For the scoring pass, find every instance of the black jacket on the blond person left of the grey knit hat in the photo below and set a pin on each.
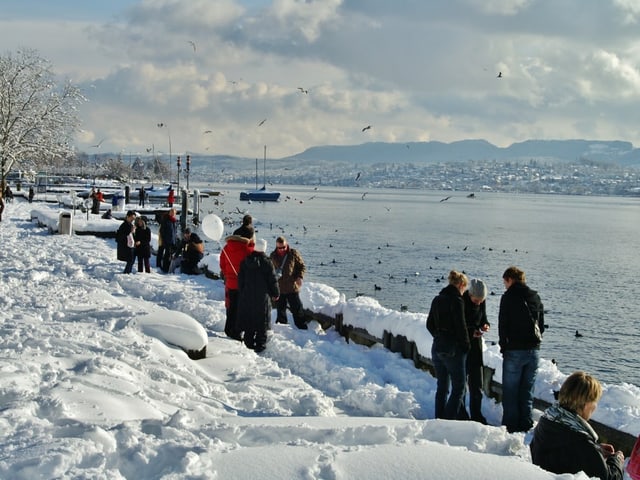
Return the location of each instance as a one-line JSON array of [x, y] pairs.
[[446, 317]]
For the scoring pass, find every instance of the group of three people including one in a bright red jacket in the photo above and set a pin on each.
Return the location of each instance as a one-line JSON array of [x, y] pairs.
[[254, 282]]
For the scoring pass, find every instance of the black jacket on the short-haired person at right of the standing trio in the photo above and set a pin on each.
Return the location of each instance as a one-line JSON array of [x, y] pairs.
[[516, 322]]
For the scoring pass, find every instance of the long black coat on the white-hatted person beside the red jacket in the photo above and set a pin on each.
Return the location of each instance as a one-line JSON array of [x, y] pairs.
[[257, 284]]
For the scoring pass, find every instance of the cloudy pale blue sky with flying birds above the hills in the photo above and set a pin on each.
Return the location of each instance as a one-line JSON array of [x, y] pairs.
[[321, 71]]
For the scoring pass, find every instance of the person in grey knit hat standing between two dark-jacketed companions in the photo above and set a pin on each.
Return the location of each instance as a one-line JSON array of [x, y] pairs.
[[475, 312]]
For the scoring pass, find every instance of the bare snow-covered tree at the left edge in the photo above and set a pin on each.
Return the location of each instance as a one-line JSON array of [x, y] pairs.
[[37, 115]]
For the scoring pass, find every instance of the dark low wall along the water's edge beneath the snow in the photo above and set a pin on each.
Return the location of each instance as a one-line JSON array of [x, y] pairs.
[[400, 344]]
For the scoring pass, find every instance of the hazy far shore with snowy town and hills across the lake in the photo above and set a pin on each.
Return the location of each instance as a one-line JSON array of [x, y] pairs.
[[571, 167]]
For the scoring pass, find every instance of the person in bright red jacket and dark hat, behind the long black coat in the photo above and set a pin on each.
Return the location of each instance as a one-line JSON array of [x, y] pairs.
[[236, 249]]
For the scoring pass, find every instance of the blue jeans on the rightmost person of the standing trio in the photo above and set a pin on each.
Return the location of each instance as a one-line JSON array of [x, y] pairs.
[[519, 368]]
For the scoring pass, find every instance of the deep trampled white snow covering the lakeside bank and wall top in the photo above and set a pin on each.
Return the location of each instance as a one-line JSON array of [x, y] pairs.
[[94, 382]]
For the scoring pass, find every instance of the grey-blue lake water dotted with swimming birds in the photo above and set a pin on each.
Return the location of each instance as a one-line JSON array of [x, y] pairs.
[[580, 253]]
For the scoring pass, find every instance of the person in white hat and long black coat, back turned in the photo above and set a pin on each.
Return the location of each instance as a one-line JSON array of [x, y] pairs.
[[257, 286]]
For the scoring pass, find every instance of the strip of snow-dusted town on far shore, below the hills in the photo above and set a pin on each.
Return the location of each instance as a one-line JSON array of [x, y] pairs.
[[470, 176]]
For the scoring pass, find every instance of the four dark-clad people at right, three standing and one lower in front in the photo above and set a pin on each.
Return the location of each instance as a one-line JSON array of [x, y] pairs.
[[563, 441]]
